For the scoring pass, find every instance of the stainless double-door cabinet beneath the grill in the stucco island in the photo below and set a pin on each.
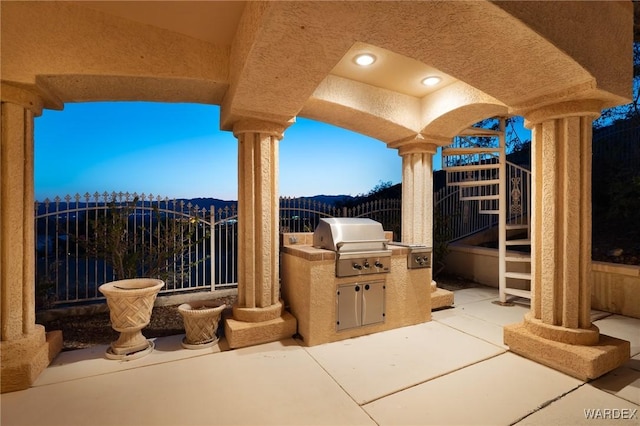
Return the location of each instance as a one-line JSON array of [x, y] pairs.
[[360, 304]]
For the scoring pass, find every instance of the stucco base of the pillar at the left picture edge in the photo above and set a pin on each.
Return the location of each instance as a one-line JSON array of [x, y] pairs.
[[24, 359]]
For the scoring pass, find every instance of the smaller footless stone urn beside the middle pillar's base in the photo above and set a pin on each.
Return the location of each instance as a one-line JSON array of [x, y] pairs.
[[201, 320]]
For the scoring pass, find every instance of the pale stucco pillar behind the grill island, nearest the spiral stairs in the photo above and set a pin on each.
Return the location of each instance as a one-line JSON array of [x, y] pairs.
[[417, 202]]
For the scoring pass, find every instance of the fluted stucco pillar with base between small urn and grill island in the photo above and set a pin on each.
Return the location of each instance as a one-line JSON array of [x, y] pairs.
[[258, 316]]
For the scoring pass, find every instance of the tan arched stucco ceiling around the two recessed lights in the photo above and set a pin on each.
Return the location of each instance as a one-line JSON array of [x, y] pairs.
[[276, 60]]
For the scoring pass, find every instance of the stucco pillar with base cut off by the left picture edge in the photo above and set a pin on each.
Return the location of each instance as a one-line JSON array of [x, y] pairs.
[[26, 348]]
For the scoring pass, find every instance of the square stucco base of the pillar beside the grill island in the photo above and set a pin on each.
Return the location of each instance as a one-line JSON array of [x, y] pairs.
[[240, 334]]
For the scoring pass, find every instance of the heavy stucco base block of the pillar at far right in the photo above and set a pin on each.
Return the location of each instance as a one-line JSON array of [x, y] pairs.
[[580, 361]]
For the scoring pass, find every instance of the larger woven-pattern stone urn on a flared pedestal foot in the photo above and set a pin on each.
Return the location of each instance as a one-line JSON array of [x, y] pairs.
[[130, 304]]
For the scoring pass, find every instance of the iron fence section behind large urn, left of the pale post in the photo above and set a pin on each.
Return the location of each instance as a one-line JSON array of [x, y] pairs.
[[174, 235]]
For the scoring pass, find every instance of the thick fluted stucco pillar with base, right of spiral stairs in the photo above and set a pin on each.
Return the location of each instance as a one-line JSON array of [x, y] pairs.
[[558, 330]]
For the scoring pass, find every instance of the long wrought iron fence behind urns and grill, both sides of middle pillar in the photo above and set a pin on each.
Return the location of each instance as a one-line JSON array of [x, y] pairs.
[[69, 272]]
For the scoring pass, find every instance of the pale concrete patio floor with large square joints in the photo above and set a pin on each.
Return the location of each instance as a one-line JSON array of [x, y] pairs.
[[453, 370]]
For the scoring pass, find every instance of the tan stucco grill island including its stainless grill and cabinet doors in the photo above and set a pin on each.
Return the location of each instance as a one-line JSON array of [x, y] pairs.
[[347, 279]]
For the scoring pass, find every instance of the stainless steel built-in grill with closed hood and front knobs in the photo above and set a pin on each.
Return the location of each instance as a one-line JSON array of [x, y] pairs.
[[359, 244]]
